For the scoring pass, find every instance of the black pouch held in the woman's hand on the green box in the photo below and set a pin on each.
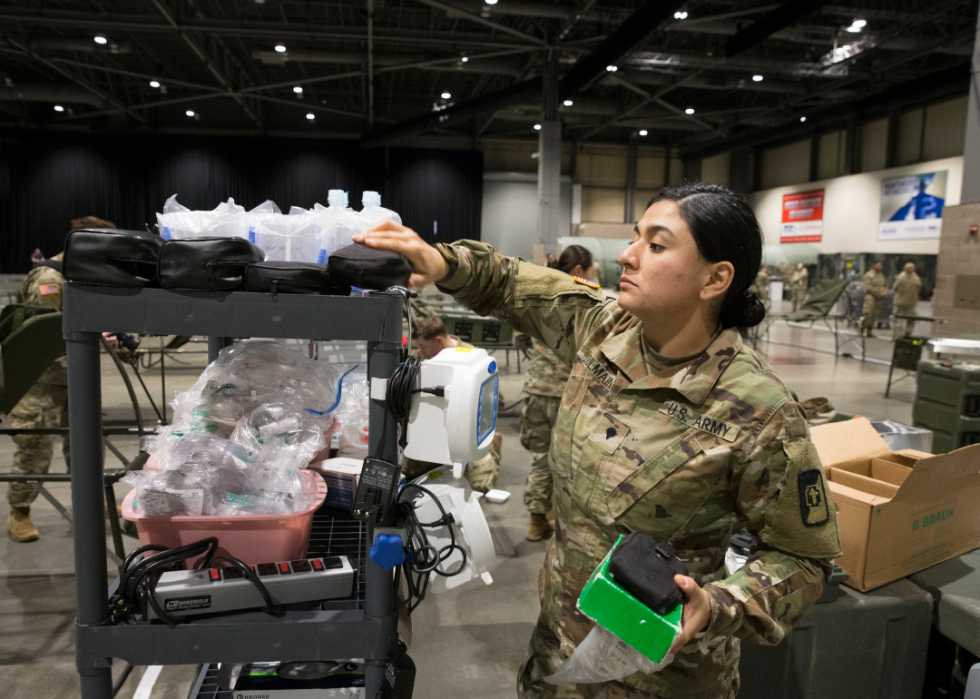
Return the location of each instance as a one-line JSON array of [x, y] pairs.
[[646, 570]]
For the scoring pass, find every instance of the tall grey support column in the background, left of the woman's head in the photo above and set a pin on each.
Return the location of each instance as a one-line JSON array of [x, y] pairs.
[[549, 161]]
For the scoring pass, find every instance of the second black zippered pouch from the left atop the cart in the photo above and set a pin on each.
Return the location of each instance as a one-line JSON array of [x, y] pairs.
[[206, 264]]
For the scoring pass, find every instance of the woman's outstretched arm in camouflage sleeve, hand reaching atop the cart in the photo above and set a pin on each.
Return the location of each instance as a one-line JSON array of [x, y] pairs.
[[544, 303]]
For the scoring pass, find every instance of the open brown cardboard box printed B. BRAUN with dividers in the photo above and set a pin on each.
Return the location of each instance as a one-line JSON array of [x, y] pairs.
[[898, 512]]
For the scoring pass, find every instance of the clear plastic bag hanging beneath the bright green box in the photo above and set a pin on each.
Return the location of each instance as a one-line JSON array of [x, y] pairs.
[[602, 657]]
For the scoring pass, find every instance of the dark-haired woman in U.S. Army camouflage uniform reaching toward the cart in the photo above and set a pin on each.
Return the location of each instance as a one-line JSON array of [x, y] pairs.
[[668, 425]]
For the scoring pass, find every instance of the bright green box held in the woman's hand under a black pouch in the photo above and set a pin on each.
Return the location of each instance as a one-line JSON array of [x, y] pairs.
[[616, 610]]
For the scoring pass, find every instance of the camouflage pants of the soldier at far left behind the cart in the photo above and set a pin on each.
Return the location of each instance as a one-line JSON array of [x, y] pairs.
[[44, 405]]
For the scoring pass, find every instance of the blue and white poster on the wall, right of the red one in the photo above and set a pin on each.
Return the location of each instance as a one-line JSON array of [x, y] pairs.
[[912, 206]]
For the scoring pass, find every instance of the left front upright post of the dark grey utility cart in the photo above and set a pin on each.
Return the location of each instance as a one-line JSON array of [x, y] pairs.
[[87, 495]]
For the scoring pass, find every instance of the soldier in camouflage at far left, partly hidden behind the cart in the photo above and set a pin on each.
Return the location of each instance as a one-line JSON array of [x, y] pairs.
[[45, 404]]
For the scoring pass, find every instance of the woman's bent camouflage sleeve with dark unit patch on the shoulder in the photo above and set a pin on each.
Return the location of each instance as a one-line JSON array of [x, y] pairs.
[[782, 495]]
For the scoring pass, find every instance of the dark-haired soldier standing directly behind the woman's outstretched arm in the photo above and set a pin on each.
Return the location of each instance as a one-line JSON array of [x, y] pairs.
[[545, 382]]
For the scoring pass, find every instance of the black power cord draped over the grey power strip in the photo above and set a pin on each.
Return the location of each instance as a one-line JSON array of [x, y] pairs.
[[138, 576]]
